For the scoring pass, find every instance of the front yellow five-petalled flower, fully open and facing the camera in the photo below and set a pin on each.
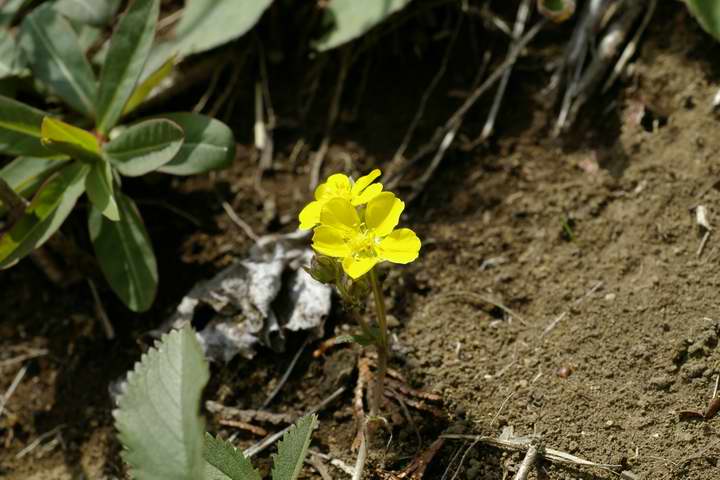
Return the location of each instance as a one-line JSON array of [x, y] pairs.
[[360, 242]]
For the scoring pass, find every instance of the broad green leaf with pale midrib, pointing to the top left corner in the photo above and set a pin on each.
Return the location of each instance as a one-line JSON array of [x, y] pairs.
[[57, 59]]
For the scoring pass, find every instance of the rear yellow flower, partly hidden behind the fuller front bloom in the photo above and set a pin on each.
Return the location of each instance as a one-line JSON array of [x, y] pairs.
[[340, 186]]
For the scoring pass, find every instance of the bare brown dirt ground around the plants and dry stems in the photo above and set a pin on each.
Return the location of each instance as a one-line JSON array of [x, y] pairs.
[[590, 241]]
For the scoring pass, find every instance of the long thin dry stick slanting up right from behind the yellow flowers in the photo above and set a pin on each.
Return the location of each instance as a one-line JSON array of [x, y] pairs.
[[445, 134]]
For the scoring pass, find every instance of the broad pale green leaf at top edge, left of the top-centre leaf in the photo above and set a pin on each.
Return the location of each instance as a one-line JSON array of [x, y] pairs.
[[207, 24]]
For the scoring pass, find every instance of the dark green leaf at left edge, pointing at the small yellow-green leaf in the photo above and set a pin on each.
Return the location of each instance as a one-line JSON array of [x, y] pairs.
[[20, 129]]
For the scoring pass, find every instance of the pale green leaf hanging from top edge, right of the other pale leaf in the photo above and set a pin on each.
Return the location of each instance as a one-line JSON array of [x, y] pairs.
[[352, 18]]
